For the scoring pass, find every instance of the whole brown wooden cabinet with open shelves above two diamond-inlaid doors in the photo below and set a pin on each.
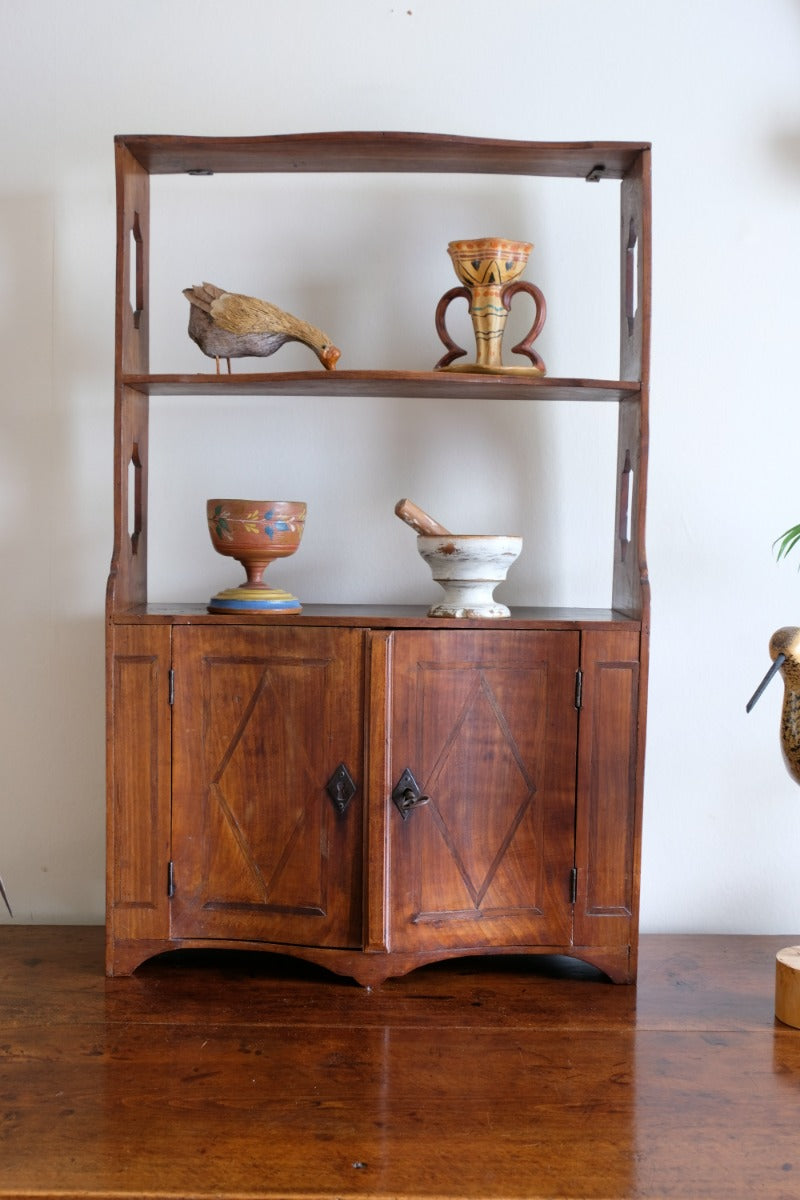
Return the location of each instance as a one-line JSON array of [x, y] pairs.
[[368, 788]]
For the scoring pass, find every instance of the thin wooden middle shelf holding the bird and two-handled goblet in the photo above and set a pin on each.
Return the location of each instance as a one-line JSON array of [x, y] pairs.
[[449, 386]]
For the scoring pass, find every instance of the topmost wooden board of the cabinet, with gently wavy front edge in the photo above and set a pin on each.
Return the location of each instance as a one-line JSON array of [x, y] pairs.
[[382, 152]]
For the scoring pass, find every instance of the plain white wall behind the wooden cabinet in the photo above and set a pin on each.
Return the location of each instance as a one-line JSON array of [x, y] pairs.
[[714, 86]]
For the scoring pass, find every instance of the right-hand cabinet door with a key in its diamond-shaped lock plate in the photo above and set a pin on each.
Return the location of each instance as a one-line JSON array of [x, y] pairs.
[[486, 722]]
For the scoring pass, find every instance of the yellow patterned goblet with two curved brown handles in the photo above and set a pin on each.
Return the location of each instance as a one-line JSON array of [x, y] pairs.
[[489, 269]]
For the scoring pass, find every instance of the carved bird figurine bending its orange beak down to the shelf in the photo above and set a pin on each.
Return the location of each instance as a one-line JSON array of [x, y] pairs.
[[227, 326]]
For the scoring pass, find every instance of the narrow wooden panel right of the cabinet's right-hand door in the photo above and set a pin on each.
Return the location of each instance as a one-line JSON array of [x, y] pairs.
[[609, 791]]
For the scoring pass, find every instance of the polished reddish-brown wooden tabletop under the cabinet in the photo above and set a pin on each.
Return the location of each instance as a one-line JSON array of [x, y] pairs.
[[227, 1075]]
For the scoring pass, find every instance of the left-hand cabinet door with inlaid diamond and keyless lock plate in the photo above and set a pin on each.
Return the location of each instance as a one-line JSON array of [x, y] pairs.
[[263, 717]]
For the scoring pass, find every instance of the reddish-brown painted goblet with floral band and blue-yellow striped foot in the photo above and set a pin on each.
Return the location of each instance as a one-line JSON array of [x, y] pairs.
[[256, 533]]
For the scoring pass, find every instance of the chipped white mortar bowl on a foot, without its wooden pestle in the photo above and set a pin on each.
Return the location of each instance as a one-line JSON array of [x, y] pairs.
[[470, 567]]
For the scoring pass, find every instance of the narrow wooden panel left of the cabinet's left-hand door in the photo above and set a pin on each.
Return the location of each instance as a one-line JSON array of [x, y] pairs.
[[139, 785]]
